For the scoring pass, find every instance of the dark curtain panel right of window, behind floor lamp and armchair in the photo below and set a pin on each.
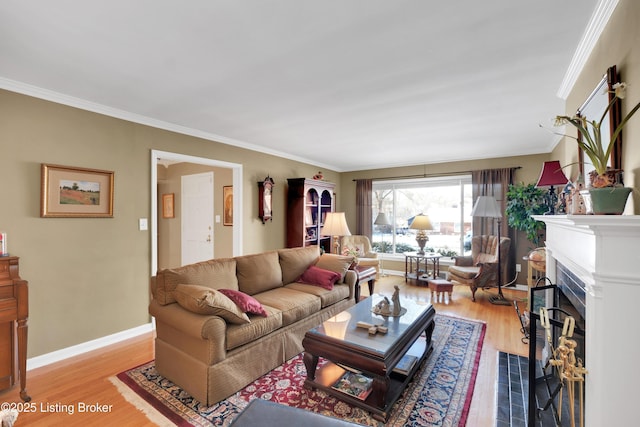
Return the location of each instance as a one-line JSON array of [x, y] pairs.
[[495, 182]]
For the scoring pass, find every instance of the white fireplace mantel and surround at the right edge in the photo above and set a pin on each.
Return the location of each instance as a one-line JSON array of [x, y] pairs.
[[604, 252]]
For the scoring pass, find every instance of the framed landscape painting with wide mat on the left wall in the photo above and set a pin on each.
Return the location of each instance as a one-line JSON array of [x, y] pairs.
[[68, 191]]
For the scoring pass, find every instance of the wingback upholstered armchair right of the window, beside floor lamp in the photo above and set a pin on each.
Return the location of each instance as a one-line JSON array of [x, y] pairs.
[[480, 270]]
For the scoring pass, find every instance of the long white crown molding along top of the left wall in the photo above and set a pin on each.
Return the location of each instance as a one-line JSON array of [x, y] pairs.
[[59, 98]]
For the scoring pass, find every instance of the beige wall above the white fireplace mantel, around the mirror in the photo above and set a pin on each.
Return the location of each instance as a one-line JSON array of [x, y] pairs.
[[617, 46]]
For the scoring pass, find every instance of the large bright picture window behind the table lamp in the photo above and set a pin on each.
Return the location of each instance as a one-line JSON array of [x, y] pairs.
[[446, 200]]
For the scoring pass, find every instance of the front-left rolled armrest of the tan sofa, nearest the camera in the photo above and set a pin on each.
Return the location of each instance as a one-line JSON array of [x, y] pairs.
[[195, 325]]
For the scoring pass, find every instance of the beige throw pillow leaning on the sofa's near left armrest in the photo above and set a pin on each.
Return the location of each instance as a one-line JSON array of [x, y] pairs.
[[203, 300]]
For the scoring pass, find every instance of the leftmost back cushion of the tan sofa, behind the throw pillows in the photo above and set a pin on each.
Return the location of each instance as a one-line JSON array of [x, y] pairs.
[[215, 274]]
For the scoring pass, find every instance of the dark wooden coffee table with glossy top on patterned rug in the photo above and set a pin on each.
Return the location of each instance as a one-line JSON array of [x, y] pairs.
[[346, 346]]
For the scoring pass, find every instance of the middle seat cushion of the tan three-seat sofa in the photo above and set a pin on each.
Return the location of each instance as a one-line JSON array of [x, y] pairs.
[[294, 305]]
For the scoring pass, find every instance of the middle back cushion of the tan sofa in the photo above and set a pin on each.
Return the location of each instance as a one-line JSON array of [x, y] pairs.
[[259, 272]]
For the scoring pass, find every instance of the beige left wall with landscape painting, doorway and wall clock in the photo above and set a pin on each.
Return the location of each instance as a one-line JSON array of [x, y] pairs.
[[88, 277]]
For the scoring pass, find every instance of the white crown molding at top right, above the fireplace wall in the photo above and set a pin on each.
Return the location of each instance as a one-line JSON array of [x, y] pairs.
[[592, 33]]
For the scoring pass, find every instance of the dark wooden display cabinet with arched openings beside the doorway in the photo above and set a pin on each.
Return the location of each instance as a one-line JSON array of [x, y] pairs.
[[308, 201]]
